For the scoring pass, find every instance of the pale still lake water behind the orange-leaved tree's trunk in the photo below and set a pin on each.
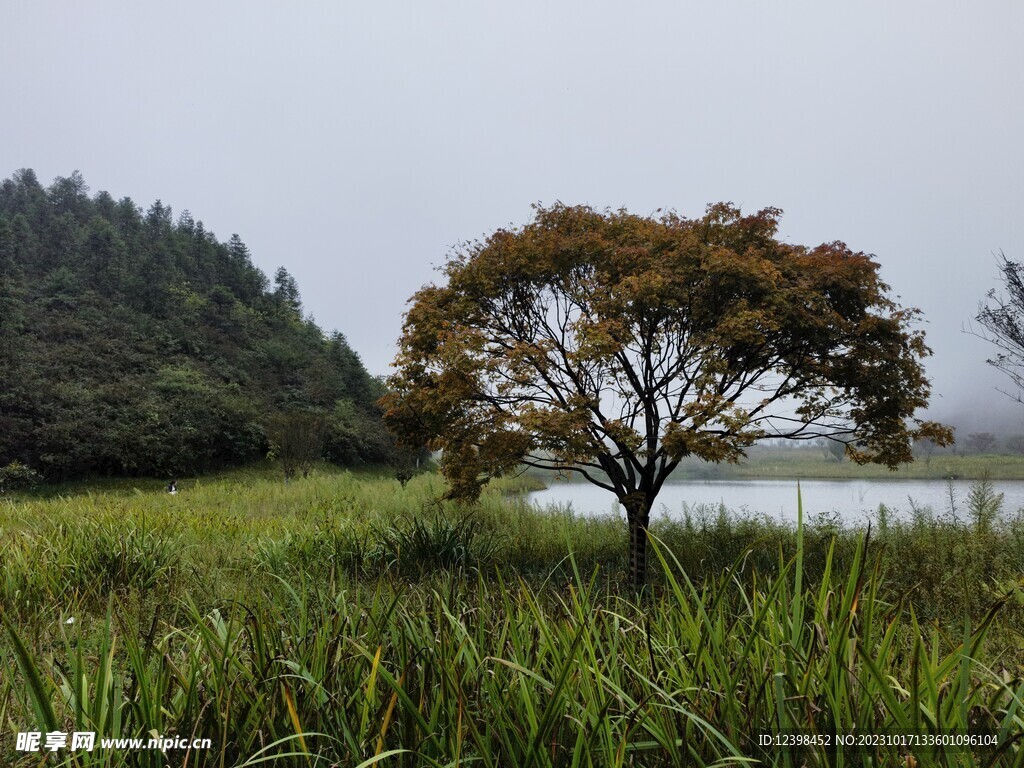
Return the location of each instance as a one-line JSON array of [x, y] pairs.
[[855, 501]]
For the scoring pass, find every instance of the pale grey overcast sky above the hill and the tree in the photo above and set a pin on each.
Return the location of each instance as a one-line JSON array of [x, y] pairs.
[[357, 143]]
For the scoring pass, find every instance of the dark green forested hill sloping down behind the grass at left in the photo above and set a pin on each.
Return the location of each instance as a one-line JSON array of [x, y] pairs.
[[137, 343]]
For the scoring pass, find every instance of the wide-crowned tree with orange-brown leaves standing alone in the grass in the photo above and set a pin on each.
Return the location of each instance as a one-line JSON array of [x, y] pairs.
[[613, 347]]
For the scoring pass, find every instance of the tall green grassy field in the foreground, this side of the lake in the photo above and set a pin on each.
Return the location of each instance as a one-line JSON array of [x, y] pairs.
[[346, 620]]
